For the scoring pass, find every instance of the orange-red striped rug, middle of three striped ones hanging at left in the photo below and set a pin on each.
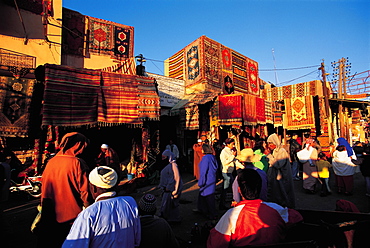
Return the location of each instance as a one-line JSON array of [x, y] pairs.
[[118, 100]]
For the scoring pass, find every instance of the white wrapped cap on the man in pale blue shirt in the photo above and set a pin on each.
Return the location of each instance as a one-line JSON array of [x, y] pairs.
[[103, 177]]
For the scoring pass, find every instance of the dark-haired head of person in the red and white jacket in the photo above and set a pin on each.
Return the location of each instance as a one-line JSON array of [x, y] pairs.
[[250, 184]]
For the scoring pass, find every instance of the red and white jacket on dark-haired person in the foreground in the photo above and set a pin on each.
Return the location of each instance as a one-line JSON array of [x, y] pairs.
[[252, 222]]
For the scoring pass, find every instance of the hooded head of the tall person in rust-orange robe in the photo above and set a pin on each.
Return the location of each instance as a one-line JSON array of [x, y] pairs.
[[74, 143]]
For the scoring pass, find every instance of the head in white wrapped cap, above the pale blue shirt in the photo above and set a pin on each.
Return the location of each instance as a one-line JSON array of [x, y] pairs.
[[102, 179]]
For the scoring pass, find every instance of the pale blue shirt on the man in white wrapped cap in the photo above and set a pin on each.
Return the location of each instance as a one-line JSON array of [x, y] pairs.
[[112, 222]]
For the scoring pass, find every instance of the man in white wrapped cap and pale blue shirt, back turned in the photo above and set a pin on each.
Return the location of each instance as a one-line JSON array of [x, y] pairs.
[[112, 221]]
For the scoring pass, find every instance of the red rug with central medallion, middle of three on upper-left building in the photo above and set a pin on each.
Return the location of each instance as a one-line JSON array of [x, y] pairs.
[[101, 36]]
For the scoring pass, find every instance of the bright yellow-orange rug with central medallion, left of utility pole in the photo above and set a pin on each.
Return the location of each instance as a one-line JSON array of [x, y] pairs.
[[299, 113]]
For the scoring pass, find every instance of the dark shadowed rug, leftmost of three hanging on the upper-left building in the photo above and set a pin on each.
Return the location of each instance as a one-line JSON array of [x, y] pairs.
[[73, 33]]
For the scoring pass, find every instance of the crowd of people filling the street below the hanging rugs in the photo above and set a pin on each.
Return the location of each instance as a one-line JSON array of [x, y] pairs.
[[81, 207]]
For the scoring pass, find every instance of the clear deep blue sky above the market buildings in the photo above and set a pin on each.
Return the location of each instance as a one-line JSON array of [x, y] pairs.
[[301, 33]]
